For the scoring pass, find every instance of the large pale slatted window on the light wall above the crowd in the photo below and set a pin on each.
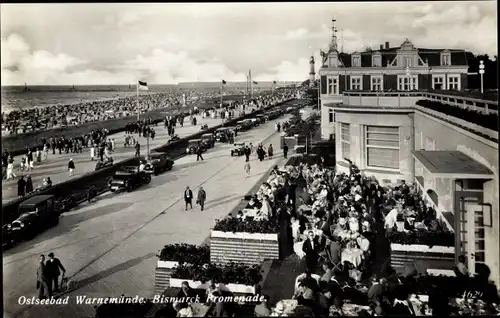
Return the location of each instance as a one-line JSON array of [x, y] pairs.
[[382, 147]]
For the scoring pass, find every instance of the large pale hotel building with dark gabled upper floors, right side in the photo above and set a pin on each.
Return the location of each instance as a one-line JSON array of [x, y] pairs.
[[371, 104]]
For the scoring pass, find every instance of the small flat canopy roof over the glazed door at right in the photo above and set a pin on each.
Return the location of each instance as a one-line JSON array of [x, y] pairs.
[[453, 163]]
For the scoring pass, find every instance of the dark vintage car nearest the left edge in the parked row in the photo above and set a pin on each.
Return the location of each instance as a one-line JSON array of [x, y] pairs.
[[36, 214]]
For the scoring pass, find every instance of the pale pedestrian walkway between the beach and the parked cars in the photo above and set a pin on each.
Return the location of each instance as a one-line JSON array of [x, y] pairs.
[[56, 166]]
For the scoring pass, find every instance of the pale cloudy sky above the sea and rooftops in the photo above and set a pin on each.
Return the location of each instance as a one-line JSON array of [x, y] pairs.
[[99, 44]]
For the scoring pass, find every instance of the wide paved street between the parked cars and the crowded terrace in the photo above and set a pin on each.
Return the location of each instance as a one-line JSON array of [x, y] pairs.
[[109, 246]]
